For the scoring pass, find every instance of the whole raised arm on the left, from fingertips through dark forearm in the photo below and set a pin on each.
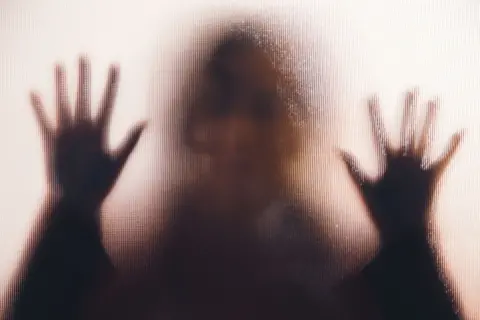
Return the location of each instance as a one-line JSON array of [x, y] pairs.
[[67, 261]]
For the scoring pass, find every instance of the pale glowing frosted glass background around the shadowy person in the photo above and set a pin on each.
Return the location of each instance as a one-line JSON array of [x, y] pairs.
[[366, 47]]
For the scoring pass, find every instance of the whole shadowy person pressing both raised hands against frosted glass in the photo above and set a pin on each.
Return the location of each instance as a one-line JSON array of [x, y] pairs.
[[215, 261]]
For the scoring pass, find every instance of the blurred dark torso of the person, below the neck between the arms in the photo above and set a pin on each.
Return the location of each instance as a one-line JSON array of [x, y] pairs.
[[209, 271]]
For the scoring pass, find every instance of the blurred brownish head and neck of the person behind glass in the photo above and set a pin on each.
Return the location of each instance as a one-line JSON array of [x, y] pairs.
[[242, 120]]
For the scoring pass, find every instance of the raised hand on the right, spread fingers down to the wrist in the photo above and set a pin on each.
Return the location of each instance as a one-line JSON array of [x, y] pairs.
[[400, 200]]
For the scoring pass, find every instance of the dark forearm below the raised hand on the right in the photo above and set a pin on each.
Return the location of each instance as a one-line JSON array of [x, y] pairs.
[[407, 283]]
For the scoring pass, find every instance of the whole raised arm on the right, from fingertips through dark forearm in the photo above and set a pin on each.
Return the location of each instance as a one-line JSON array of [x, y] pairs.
[[404, 277]]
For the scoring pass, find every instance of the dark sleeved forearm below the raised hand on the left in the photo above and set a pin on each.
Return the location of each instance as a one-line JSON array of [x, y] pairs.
[[63, 266]]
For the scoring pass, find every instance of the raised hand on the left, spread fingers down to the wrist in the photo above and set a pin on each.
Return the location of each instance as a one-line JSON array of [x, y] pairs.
[[79, 165]]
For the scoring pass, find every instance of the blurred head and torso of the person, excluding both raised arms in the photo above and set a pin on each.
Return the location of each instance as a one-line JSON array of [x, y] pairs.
[[239, 245]]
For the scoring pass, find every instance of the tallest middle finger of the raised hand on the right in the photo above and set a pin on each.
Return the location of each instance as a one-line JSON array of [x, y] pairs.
[[407, 136]]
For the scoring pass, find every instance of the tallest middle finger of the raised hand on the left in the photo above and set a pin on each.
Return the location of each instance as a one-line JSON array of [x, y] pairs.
[[82, 110]]
